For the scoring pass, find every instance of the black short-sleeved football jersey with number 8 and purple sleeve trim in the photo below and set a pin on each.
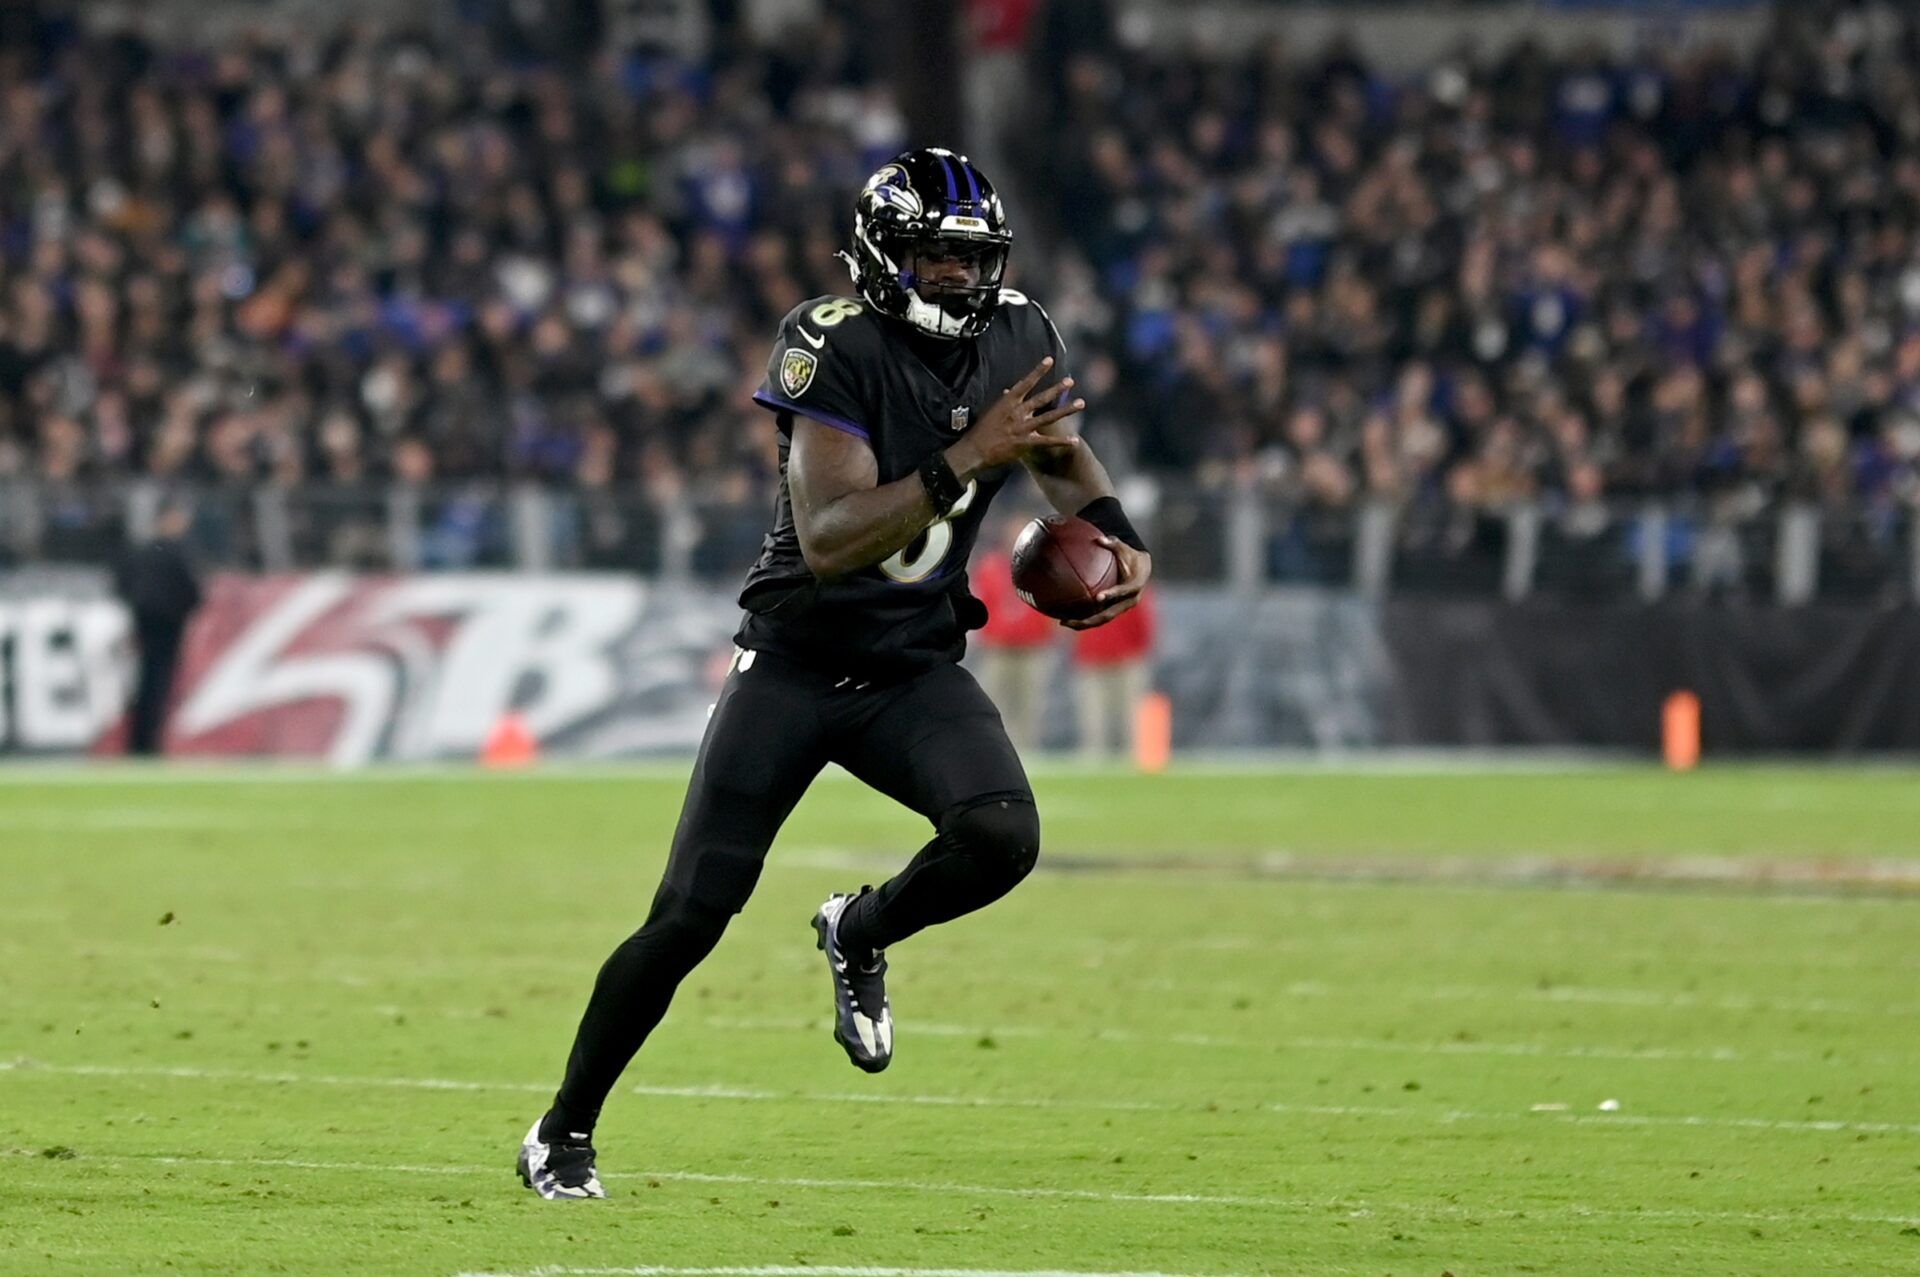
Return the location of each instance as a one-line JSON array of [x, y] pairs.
[[853, 370]]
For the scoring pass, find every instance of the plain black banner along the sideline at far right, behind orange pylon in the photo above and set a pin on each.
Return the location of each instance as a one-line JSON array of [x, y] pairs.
[[1821, 679]]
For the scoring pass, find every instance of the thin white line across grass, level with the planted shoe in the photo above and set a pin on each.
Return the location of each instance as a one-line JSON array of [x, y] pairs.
[[1355, 1209]]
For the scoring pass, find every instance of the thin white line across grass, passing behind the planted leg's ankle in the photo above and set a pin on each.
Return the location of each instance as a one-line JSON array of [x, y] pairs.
[[971, 1101]]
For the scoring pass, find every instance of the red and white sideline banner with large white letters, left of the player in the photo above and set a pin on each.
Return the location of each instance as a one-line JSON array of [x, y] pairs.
[[360, 669]]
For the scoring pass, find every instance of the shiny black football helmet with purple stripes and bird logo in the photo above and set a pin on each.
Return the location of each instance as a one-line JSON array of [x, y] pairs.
[[930, 205]]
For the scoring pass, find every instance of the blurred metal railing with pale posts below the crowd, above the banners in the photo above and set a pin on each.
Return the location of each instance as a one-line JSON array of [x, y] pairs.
[[1239, 537]]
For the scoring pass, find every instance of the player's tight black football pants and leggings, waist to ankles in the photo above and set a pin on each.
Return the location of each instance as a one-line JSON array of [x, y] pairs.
[[934, 744]]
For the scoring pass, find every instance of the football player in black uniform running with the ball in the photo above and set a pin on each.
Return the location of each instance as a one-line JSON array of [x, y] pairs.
[[901, 414]]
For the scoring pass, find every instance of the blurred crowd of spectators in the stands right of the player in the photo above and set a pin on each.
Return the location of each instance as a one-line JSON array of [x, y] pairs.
[[1481, 283]]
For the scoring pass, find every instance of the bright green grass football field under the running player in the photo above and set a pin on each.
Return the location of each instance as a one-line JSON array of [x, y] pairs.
[[299, 1026]]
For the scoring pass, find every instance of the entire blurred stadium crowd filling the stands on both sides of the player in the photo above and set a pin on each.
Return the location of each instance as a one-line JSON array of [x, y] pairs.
[[372, 256]]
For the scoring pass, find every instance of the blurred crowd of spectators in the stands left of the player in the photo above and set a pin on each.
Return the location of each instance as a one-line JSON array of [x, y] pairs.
[[316, 256]]
